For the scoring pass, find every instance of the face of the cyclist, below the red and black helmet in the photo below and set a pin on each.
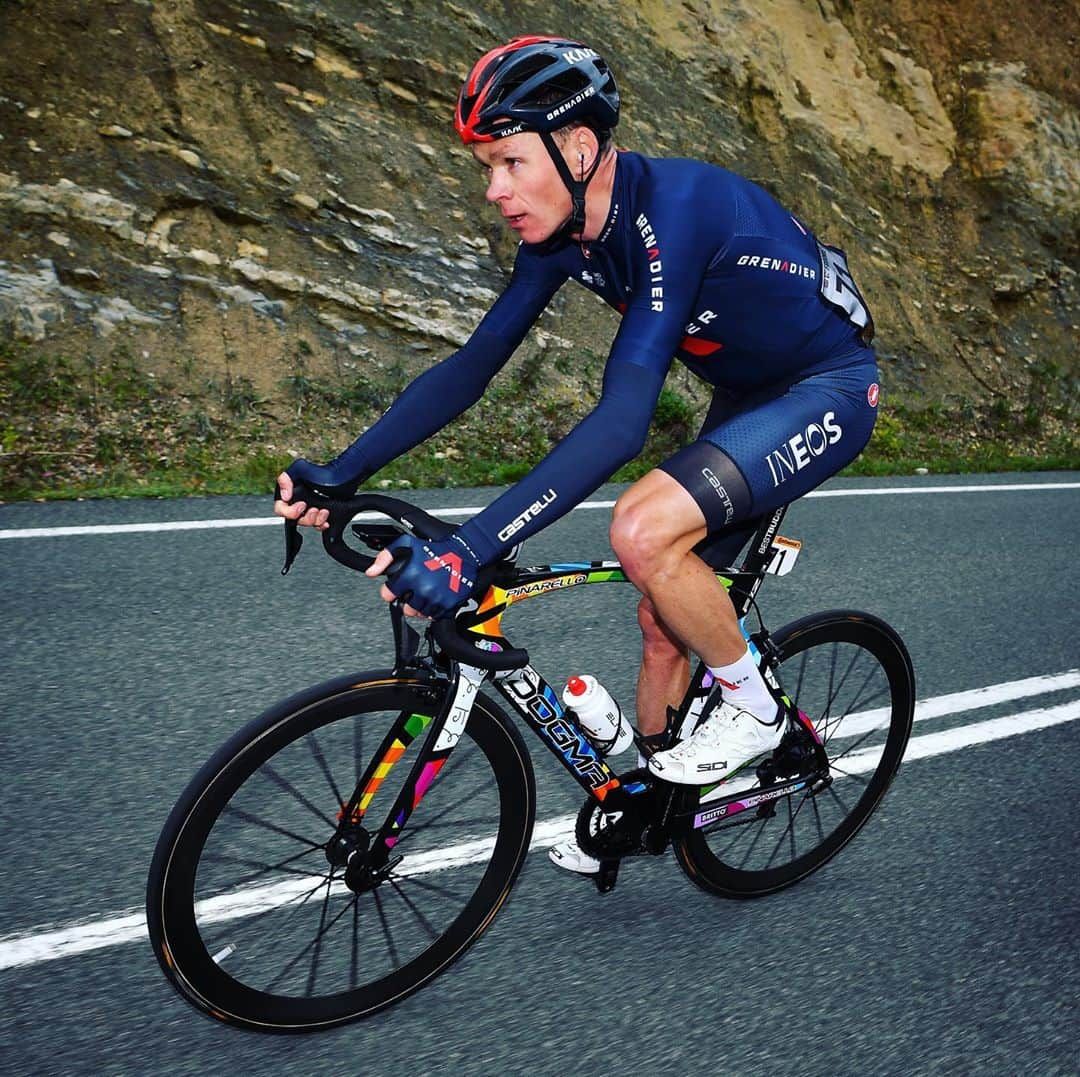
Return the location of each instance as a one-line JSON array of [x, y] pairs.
[[524, 185]]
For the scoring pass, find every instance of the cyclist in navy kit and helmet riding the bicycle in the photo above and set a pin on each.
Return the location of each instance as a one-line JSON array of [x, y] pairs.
[[707, 268]]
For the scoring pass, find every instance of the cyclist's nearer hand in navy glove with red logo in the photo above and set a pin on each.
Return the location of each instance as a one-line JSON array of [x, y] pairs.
[[439, 575]]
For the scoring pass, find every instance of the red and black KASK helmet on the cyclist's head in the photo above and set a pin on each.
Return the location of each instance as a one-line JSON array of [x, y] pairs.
[[536, 84]]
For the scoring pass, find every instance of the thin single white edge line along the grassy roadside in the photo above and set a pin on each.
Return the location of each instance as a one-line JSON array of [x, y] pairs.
[[199, 526]]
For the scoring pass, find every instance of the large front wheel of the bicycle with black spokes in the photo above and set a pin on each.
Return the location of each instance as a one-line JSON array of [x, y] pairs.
[[218, 941]]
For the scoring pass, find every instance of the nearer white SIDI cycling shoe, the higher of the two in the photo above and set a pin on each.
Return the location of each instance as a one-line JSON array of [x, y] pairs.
[[726, 742]]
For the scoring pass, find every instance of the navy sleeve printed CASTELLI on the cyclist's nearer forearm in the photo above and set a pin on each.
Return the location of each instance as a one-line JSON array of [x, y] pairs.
[[613, 435]]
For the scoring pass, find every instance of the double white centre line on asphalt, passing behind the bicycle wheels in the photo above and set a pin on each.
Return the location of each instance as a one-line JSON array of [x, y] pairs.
[[42, 945]]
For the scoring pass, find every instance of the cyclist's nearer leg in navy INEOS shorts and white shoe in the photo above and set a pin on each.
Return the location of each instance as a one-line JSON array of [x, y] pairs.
[[733, 473]]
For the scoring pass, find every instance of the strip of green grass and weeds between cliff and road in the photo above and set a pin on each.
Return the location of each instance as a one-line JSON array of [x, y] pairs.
[[112, 428]]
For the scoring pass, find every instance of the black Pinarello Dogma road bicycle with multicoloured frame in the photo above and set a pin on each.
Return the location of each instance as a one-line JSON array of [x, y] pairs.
[[349, 844]]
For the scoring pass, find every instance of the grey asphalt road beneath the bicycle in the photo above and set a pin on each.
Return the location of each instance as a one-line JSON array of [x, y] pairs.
[[944, 940]]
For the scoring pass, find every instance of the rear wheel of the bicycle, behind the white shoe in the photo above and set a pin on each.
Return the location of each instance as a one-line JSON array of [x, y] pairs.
[[828, 665]]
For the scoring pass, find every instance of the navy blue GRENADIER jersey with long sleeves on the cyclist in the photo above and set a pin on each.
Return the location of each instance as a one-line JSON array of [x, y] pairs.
[[706, 267]]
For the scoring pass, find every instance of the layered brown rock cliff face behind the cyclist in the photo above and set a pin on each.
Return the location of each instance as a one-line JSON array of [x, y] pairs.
[[265, 189]]
